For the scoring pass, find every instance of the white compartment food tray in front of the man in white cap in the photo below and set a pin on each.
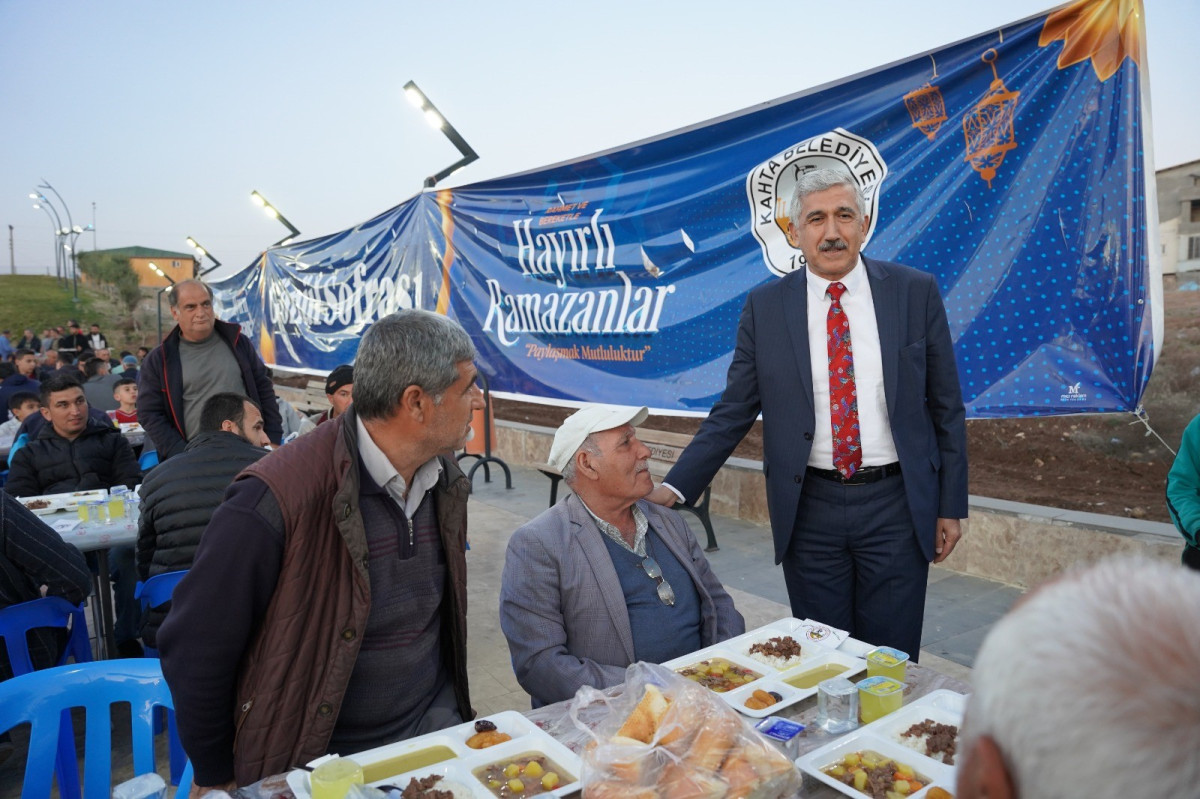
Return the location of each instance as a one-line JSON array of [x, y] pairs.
[[813, 656]]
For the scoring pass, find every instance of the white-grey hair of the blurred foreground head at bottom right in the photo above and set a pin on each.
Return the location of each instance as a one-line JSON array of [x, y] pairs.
[[1089, 687]]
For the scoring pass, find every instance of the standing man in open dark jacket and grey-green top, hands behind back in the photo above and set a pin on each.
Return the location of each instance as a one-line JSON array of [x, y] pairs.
[[201, 357]]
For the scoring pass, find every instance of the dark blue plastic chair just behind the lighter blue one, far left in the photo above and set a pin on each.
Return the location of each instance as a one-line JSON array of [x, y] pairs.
[[16, 622]]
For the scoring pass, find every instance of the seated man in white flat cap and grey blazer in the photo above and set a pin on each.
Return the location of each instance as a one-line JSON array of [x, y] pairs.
[[604, 579]]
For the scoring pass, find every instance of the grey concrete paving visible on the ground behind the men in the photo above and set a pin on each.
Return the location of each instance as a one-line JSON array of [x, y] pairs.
[[959, 610]]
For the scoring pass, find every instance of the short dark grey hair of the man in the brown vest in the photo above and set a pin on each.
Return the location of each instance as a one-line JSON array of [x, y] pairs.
[[403, 350]]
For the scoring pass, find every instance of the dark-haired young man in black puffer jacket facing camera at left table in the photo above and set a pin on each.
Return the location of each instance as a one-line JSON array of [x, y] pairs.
[[74, 452]]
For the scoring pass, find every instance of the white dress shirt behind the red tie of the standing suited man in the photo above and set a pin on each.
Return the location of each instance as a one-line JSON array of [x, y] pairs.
[[865, 341]]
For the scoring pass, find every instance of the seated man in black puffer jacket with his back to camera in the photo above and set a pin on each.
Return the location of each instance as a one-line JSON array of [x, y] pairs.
[[178, 497]]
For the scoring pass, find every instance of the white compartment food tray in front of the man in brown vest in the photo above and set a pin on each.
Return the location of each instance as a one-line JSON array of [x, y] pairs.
[[527, 738]]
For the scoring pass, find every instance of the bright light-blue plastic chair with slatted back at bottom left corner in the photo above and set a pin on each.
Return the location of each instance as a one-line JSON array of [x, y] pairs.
[[41, 699]]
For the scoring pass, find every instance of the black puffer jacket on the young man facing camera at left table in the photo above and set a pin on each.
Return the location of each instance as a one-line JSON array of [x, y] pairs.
[[99, 459]]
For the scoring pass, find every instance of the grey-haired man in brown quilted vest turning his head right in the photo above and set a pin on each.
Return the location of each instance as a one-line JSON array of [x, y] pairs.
[[327, 606]]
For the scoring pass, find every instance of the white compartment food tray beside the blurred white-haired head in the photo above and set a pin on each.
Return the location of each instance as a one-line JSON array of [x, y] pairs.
[[945, 707]]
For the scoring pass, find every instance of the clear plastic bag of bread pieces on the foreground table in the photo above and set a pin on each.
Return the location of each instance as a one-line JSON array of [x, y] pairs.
[[669, 737]]
